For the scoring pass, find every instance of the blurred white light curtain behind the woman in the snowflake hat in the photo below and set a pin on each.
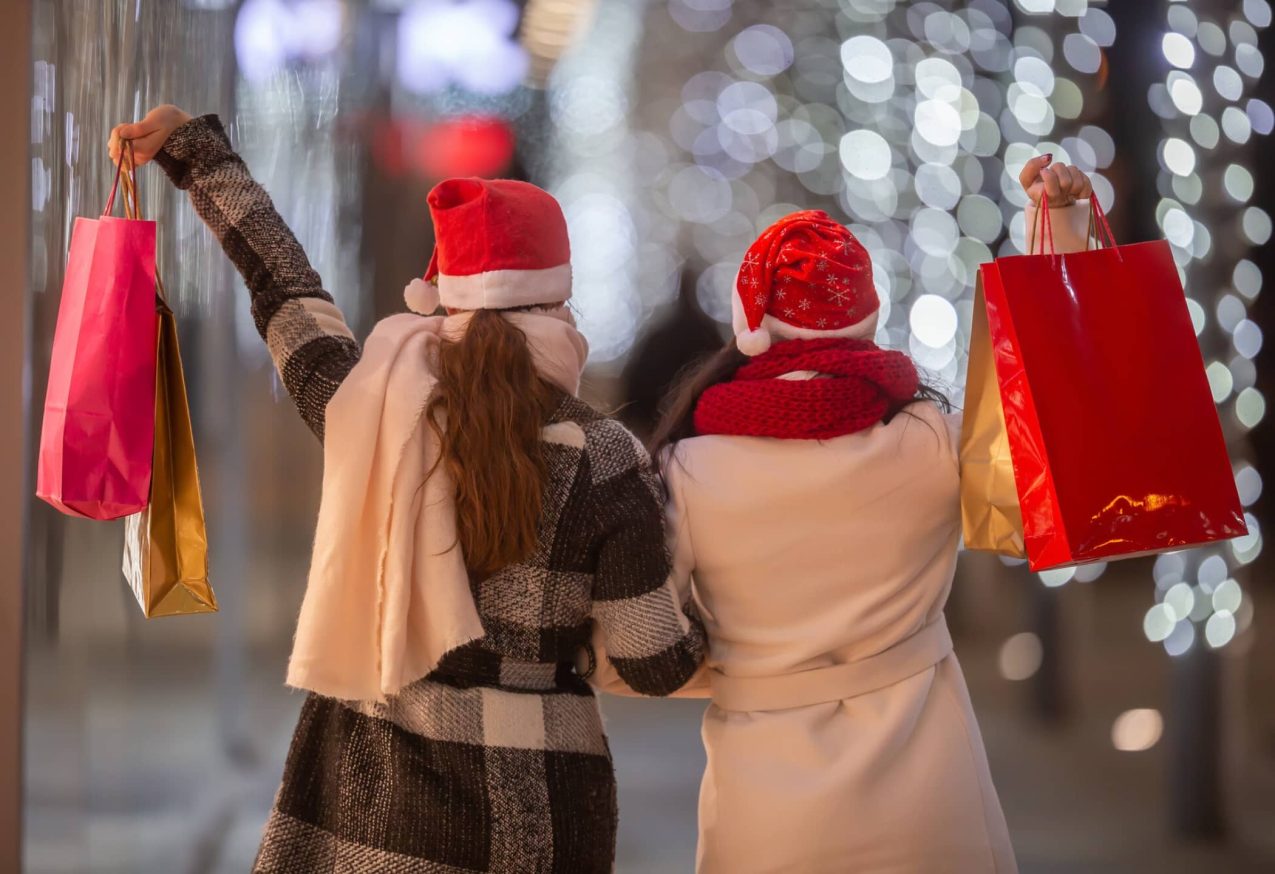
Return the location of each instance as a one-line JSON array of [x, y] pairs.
[[912, 126]]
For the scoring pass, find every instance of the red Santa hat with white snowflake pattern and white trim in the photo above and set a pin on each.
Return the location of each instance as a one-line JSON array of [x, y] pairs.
[[805, 278]]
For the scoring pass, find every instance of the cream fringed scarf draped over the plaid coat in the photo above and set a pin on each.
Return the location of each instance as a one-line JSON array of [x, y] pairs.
[[390, 594]]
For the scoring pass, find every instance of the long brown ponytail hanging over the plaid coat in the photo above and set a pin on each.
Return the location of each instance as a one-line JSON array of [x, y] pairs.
[[488, 413]]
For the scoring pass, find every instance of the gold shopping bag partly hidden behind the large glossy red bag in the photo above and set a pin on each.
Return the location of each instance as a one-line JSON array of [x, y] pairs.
[[991, 517]]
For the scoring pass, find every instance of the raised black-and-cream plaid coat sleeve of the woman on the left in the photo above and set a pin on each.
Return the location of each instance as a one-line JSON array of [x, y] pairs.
[[312, 346]]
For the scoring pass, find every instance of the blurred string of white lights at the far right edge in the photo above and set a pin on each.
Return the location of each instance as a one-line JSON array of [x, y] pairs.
[[1209, 115]]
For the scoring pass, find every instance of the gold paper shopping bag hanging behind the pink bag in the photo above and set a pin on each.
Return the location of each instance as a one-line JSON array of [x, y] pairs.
[[166, 545]]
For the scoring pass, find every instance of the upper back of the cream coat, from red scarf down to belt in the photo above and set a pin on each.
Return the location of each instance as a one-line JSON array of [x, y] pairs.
[[810, 553]]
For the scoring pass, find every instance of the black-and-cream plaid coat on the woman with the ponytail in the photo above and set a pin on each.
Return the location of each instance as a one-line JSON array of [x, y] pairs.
[[498, 761]]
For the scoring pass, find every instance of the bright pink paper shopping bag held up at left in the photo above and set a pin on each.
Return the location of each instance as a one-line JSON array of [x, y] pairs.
[[98, 438]]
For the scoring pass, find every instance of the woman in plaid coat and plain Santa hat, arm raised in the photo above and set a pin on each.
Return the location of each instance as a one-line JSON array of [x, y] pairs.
[[495, 759]]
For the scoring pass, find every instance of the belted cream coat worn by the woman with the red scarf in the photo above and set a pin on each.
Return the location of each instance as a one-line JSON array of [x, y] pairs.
[[814, 554]]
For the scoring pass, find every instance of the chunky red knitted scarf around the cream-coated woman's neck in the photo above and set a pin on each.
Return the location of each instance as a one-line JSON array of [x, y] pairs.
[[859, 386]]
